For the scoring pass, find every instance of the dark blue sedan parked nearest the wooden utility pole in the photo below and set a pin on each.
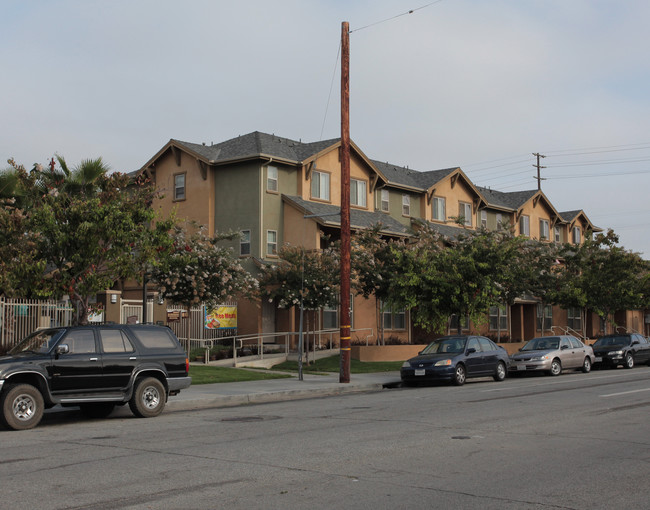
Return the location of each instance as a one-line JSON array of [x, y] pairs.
[[455, 358]]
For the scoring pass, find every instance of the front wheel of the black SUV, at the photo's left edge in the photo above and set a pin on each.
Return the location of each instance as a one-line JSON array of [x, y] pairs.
[[22, 406]]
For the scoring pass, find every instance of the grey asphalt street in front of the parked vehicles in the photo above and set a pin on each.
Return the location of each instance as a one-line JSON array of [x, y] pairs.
[[577, 441]]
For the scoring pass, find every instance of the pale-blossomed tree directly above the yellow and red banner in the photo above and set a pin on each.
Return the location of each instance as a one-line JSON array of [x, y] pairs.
[[197, 270]]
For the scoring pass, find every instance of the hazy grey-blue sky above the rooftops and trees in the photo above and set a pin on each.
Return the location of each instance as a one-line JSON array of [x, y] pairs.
[[480, 84]]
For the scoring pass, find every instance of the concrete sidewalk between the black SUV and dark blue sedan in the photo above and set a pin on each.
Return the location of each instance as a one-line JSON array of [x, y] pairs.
[[203, 396]]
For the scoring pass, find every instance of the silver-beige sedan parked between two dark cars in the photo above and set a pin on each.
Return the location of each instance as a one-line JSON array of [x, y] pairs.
[[552, 354]]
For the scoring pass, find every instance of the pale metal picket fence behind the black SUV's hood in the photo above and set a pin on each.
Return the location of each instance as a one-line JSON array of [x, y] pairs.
[[20, 317]]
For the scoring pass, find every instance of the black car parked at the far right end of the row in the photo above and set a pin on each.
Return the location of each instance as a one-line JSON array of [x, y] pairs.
[[626, 349]]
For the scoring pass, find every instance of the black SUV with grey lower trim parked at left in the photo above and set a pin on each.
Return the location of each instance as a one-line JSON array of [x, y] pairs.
[[93, 367]]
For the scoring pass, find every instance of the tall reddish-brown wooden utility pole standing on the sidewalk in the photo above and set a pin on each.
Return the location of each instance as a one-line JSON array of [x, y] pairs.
[[345, 204]]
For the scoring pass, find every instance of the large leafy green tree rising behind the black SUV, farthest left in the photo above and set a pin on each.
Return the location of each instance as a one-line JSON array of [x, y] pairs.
[[77, 231]]
